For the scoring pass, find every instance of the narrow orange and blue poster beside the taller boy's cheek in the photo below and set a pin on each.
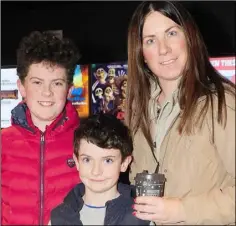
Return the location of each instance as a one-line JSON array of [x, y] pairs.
[[79, 92]]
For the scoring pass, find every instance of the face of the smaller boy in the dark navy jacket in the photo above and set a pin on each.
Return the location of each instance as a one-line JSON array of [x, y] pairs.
[[100, 168]]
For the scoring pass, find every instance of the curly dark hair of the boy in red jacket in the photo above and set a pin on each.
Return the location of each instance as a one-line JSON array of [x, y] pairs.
[[47, 48]]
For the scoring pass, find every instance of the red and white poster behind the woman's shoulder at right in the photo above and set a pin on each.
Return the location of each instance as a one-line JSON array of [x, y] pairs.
[[226, 66]]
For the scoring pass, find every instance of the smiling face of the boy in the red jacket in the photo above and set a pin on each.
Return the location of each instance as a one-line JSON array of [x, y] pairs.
[[45, 91]]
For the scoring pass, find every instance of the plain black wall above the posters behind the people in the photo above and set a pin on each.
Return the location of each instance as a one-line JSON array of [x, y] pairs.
[[100, 28]]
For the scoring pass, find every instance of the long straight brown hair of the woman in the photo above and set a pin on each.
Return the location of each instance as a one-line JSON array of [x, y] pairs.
[[199, 76]]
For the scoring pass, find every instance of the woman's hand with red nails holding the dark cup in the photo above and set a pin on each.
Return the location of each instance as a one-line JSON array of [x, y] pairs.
[[160, 210]]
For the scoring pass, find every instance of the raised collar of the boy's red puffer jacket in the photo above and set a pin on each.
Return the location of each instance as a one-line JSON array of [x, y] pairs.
[[67, 119]]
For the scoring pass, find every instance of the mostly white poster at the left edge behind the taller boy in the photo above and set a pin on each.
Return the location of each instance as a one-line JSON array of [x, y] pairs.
[[10, 96]]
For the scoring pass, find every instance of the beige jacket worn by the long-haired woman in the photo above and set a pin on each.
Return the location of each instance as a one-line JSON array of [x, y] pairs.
[[198, 171]]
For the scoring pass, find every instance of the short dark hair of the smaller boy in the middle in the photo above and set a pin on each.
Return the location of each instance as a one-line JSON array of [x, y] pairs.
[[105, 131]]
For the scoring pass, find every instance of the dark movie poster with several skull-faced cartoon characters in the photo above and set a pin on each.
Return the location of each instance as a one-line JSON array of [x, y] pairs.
[[109, 82]]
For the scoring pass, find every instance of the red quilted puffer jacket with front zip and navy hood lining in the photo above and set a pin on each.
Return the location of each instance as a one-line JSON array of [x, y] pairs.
[[37, 168]]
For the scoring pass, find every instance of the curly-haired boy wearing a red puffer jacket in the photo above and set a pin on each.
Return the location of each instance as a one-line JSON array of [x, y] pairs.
[[37, 150]]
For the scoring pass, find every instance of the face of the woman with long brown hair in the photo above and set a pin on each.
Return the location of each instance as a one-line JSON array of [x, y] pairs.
[[164, 47]]
